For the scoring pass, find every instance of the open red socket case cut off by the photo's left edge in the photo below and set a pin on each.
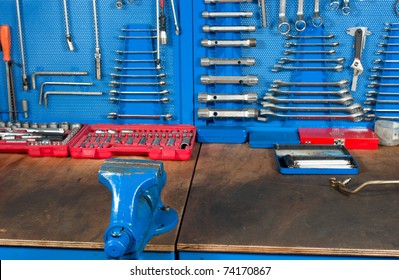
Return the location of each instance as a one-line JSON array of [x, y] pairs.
[[37, 140]]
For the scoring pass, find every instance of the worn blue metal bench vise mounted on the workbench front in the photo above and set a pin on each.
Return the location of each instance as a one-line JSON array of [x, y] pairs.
[[137, 212]]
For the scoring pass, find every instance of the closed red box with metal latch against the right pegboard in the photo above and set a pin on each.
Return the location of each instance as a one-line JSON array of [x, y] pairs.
[[351, 138]]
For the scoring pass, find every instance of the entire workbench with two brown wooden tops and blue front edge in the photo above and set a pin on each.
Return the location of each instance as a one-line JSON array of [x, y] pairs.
[[239, 207]]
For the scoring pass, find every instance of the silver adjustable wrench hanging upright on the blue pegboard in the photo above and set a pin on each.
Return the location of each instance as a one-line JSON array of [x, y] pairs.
[[360, 34]]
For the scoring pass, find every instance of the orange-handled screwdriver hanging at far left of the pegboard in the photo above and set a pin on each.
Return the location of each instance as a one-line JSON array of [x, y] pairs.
[[5, 41]]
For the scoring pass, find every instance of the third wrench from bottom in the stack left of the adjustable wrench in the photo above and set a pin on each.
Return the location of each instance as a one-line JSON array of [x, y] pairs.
[[346, 101]]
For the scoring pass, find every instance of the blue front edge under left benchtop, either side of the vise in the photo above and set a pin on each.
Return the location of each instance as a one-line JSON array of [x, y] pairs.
[[35, 253]]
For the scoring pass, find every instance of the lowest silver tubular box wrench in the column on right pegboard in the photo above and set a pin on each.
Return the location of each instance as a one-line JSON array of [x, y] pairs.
[[207, 113]]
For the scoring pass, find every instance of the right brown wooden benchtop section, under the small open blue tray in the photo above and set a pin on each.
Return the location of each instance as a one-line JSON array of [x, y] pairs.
[[240, 203]]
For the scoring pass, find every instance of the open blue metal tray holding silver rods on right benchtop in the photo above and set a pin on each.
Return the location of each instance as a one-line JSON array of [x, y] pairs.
[[288, 155]]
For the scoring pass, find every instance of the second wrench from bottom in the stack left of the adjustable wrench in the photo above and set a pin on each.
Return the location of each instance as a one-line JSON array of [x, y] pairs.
[[349, 110]]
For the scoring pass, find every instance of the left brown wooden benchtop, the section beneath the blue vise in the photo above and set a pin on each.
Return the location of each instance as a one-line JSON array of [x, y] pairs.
[[58, 202]]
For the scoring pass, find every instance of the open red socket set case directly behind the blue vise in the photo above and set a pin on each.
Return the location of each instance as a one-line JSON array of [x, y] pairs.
[[159, 142]]
